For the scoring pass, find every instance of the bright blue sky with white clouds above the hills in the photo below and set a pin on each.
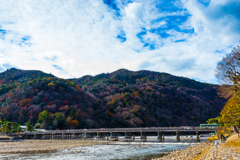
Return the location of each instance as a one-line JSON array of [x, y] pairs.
[[74, 38]]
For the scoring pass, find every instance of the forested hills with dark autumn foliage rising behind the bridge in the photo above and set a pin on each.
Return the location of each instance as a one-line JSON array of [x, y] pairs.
[[119, 99]]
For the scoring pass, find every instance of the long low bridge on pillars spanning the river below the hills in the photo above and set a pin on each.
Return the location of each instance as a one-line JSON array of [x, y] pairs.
[[103, 133]]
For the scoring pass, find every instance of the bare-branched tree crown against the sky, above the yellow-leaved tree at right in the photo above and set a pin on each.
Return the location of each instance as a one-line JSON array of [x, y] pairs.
[[228, 71]]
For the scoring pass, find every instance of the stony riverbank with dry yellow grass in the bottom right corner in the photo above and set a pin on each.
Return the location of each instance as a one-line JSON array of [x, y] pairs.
[[230, 150]]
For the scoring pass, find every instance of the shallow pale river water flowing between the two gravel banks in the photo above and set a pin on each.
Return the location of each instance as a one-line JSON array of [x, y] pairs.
[[118, 151]]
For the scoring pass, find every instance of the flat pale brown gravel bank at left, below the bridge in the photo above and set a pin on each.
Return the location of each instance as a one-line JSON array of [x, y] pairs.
[[26, 146]]
